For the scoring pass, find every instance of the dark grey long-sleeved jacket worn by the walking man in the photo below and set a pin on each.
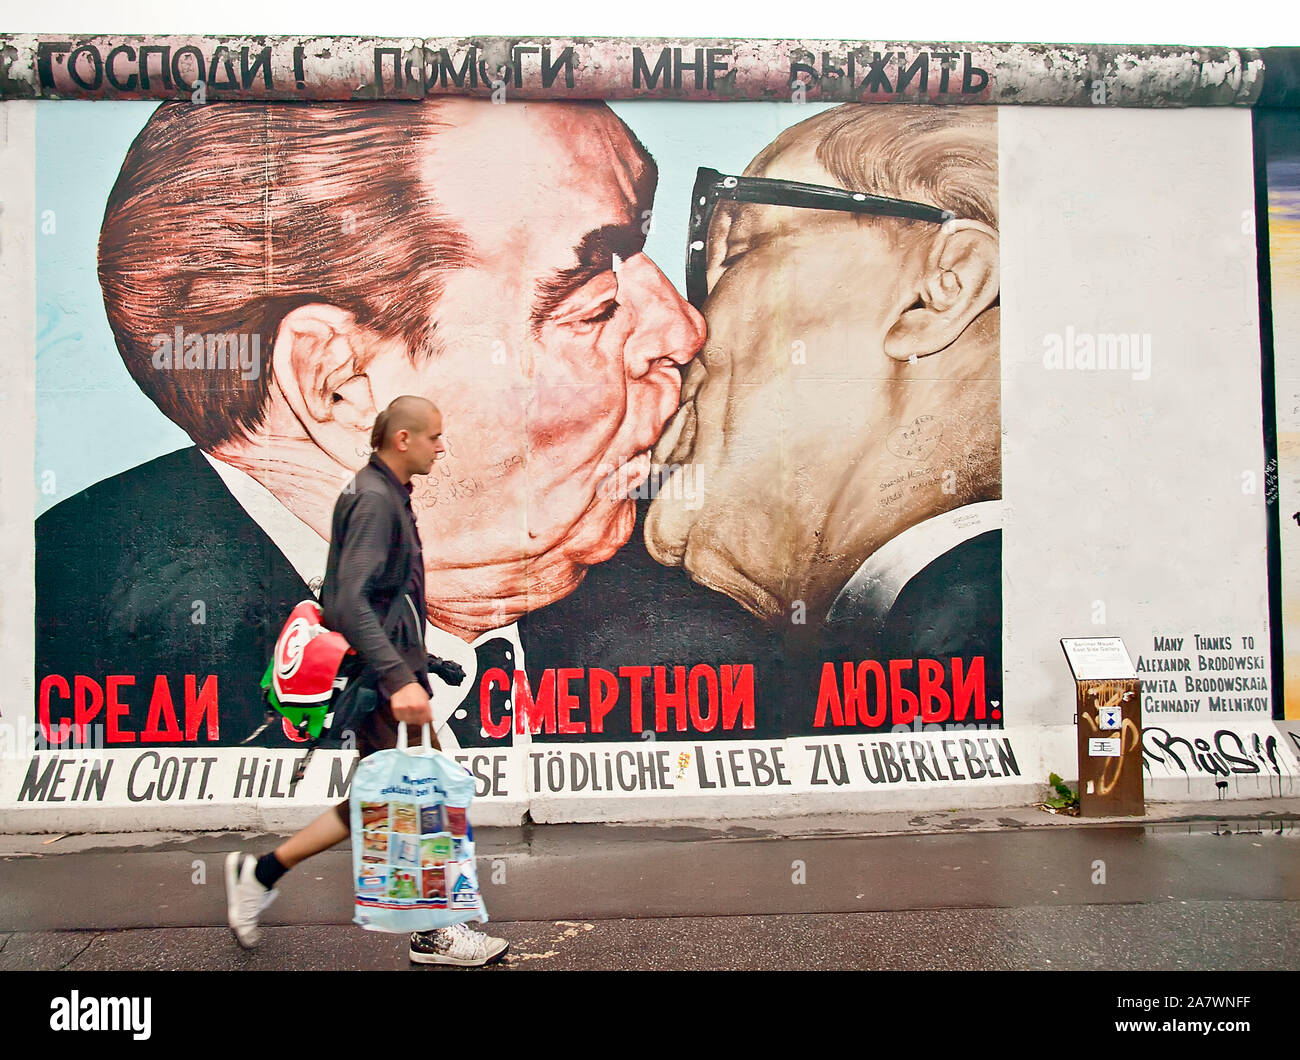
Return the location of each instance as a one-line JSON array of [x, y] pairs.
[[374, 590]]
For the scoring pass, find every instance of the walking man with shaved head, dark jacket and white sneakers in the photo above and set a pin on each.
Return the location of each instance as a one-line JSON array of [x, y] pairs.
[[374, 585]]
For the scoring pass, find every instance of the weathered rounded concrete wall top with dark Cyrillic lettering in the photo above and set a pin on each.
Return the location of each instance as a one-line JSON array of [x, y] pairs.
[[323, 68]]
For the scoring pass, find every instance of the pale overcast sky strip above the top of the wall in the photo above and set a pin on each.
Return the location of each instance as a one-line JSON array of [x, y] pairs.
[[1254, 24]]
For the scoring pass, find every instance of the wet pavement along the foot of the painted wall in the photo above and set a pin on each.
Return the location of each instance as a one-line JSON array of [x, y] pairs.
[[1203, 885]]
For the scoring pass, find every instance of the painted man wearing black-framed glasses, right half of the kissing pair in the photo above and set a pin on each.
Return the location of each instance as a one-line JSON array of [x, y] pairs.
[[846, 410]]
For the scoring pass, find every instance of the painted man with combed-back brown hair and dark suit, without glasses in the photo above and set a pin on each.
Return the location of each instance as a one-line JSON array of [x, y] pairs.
[[362, 252]]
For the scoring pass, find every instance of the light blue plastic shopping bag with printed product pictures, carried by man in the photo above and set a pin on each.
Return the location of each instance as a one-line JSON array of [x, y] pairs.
[[413, 847]]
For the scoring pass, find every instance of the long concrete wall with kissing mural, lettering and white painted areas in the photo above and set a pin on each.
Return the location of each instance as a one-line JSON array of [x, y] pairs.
[[800, 397]]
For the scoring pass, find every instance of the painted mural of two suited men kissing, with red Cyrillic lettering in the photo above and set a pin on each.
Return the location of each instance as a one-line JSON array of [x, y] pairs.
[[759, 505]]
